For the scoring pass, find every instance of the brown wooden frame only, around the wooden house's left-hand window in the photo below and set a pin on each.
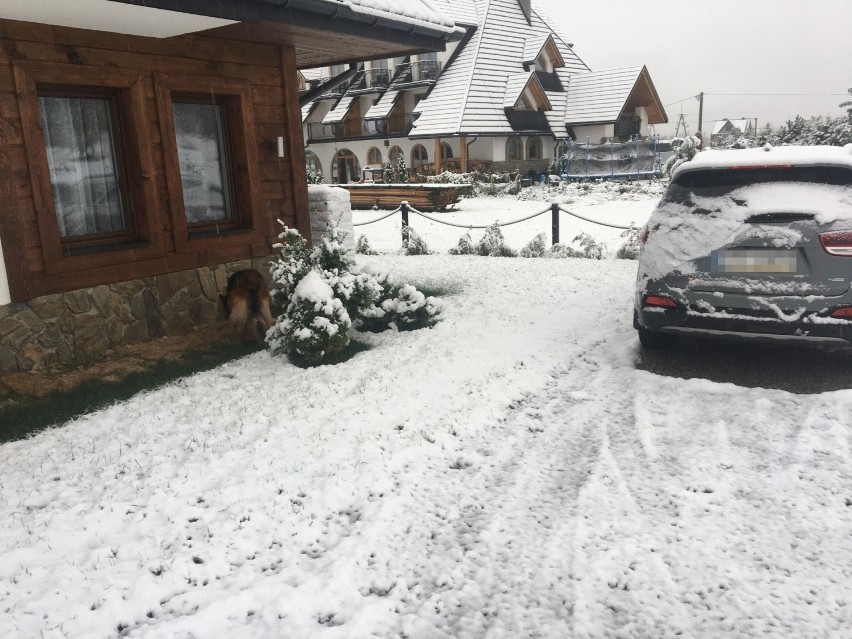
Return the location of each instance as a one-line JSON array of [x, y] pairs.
[[143, 239]]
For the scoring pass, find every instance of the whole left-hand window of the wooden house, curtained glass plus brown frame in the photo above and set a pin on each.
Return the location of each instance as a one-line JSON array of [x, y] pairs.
[[87, 144]]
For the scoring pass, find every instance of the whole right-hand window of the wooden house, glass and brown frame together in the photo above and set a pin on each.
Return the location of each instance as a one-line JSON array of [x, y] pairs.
[[211, 166]]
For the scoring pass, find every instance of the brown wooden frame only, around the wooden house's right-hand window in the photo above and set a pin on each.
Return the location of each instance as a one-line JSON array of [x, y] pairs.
[[244, 172]]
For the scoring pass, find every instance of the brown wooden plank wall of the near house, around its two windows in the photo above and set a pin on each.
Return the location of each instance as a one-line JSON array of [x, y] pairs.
[[278, 187]]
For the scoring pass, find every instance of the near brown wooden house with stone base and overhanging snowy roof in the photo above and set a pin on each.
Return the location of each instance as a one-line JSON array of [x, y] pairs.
[[147, 148]]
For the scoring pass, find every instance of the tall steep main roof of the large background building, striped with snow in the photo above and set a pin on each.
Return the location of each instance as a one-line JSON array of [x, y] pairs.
[[468, 98]]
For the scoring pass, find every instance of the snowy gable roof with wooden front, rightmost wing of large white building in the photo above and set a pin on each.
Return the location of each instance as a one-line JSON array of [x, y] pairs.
[[601, 97]]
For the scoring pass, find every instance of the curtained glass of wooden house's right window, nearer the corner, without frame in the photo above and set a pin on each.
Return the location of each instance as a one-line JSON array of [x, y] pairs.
[[200, 132]]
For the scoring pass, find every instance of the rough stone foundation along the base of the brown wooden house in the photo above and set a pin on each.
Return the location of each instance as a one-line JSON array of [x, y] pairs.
[[77, 327]]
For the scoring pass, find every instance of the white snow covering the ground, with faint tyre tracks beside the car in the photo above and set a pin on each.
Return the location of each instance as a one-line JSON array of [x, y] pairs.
[[508, 473]]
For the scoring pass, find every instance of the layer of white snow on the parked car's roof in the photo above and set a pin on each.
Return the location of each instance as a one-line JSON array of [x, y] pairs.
[[769, 155]]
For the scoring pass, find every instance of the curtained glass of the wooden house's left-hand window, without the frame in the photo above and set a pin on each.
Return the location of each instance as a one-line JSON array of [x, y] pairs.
[[78, 138]]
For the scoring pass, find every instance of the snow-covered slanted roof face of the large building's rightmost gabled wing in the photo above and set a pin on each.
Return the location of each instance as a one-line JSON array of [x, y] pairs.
[[599, 96]]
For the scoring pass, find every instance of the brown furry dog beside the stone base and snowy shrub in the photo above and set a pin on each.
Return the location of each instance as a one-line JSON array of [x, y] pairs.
[[246, 304]]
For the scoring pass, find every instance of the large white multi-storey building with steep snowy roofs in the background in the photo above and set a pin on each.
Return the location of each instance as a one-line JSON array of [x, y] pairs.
[[505, 97]]
